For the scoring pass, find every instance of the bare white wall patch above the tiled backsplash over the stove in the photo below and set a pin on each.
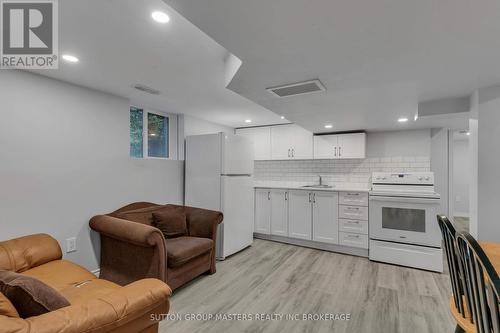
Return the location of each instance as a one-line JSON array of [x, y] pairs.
[[399, 143]]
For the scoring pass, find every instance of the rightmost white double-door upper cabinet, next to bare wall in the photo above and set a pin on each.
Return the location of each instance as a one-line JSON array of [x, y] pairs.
[[338, 146]]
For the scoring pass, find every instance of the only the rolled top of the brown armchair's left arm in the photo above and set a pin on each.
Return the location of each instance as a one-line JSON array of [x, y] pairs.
[[127, 231]]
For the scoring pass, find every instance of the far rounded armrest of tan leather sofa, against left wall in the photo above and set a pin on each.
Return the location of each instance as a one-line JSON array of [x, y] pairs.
[[21, 254]]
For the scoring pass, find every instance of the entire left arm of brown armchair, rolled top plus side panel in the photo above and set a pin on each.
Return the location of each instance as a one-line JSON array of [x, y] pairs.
[[130, 251]]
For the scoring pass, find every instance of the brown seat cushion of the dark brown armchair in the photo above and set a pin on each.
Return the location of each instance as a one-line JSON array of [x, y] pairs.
[[182, 249]]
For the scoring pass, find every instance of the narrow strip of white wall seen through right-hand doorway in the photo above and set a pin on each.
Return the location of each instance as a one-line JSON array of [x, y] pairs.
[[461, 177]]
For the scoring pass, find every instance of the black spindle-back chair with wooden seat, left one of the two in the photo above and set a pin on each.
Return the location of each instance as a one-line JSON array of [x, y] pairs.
[[460, 302]]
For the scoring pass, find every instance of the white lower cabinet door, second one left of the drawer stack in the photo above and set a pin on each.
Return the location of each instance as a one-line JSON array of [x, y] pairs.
[[300, 214]]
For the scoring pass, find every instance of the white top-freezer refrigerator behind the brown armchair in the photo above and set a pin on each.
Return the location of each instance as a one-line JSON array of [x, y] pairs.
[[218, 176]]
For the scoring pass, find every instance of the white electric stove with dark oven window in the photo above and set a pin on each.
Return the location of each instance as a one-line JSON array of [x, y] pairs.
[[403, 228]]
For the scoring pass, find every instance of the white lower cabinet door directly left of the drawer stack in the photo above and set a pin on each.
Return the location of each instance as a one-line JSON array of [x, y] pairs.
[[325, 217]]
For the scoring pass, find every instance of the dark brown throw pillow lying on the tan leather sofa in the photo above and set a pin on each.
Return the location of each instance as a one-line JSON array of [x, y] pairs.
[[30, 297]]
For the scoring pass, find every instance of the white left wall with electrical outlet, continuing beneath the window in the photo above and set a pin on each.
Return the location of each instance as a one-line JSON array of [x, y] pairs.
[[64, 157]]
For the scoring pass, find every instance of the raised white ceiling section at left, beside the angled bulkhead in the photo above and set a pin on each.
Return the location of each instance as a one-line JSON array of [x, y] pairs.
[[118, 45]]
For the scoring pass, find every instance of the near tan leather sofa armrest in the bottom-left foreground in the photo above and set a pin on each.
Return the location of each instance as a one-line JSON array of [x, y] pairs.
[[144, 301]]
